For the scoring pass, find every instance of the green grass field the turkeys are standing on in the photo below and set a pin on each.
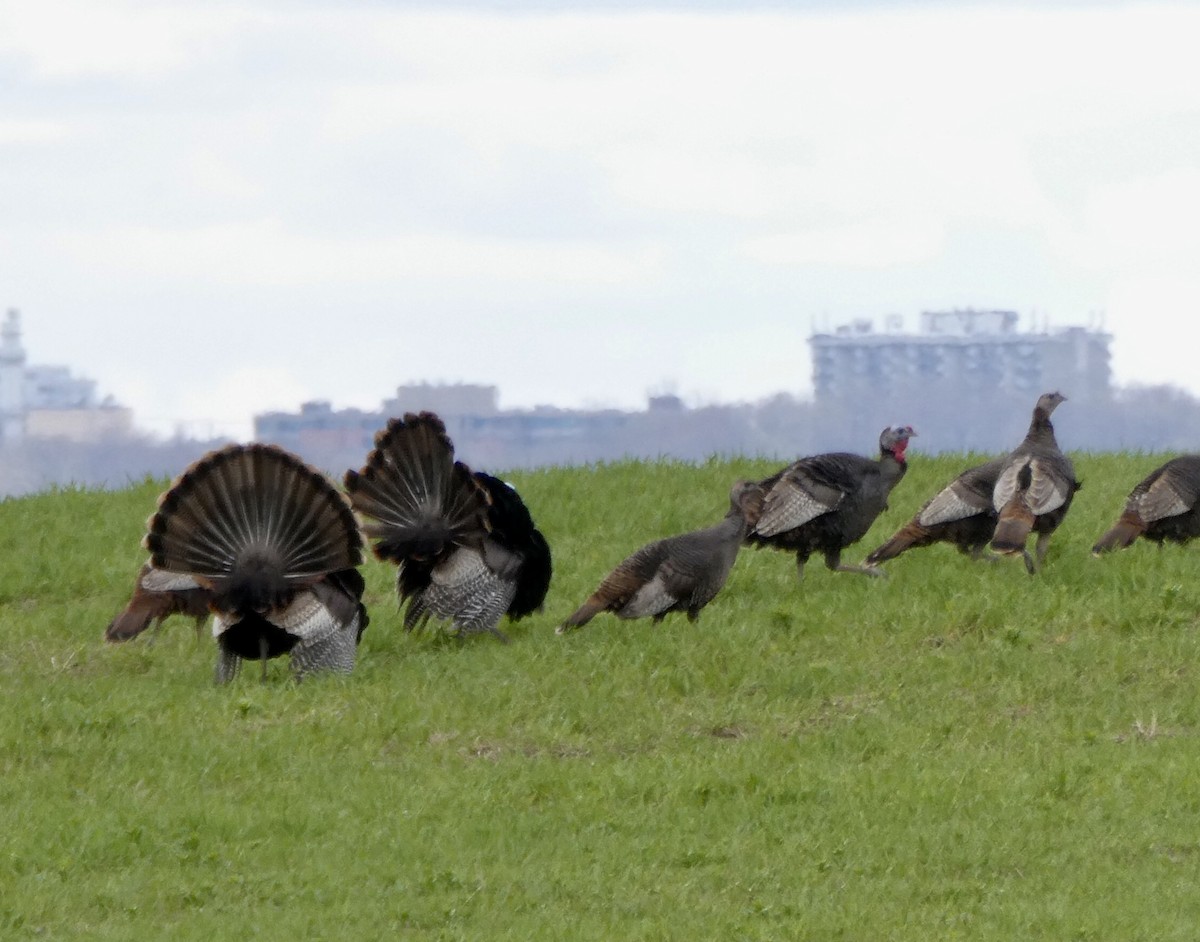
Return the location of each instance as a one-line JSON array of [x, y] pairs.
[[957, 752]]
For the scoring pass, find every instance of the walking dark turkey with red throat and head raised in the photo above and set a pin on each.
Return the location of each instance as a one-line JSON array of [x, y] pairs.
[[824, 503]]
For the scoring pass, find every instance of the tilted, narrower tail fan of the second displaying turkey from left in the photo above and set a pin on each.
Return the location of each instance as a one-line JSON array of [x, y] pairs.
[[417, 497]]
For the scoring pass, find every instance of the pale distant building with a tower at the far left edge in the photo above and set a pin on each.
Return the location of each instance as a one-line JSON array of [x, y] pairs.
[[41, 403]]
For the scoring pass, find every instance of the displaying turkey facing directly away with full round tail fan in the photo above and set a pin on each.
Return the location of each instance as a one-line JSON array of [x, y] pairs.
[[278, 547]]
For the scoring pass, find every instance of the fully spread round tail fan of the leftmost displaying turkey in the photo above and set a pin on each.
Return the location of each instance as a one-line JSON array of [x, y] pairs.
[[253, 521]]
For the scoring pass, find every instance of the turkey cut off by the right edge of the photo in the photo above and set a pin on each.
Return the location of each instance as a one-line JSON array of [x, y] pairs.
[[1165, 507]]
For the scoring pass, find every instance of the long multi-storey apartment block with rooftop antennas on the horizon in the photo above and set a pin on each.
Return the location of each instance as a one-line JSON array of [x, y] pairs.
[[961, 351]]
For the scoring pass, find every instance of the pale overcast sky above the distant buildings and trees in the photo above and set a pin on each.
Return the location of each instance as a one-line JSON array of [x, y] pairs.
[[221, 208]]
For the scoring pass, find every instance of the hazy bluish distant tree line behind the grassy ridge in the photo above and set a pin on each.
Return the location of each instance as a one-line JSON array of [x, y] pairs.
[[1160, 419]]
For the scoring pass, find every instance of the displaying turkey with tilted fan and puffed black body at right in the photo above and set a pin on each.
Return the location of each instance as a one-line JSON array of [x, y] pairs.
[[466, 545]]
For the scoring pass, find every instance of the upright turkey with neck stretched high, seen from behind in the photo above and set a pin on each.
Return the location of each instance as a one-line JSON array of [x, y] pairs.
[[1035, 489]]
